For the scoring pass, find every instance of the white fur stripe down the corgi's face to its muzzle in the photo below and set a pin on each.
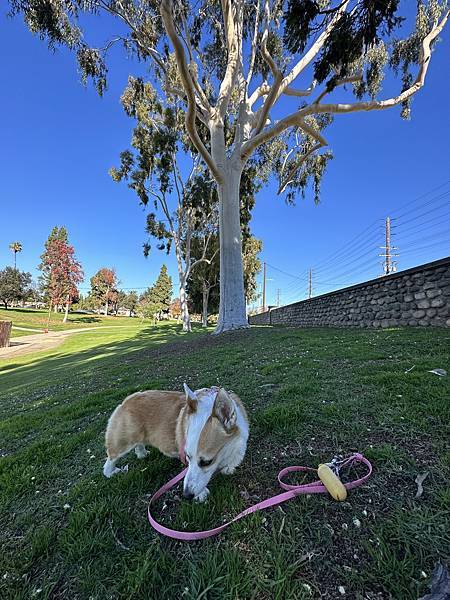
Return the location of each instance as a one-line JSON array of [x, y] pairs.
[[197, 477]]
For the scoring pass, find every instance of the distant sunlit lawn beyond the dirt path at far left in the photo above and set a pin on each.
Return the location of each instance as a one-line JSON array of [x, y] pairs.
[[38, 319]]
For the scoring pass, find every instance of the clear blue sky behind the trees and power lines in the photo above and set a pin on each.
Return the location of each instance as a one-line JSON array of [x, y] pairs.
[[58, 140]]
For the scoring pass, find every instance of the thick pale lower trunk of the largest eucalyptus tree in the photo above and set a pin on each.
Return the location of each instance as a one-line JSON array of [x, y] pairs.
[[232, 312]]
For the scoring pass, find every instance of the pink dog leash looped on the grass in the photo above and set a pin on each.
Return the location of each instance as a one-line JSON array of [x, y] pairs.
[[316, 487]]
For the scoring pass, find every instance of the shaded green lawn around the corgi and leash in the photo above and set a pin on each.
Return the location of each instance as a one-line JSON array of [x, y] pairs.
[[311, 393]]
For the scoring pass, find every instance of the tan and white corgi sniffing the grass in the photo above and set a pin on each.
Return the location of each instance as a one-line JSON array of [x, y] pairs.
[[208, 427]]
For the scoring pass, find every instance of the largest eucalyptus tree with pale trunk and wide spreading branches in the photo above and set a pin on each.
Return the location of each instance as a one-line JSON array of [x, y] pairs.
[[240, 68]]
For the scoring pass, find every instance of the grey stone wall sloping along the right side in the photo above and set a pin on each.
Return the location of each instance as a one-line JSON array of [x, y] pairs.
[[415, 297]]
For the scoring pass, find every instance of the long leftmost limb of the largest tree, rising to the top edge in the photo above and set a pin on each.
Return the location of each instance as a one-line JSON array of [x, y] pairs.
[[186, 79]]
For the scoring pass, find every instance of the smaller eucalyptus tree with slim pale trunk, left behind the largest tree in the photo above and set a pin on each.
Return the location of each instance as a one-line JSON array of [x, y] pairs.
[[166, 172]]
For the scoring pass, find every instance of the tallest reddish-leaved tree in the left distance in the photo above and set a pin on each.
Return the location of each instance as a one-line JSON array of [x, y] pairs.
[[62, 271]]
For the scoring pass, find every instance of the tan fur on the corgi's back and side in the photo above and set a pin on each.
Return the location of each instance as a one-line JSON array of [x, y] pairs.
[[145, 418]]
